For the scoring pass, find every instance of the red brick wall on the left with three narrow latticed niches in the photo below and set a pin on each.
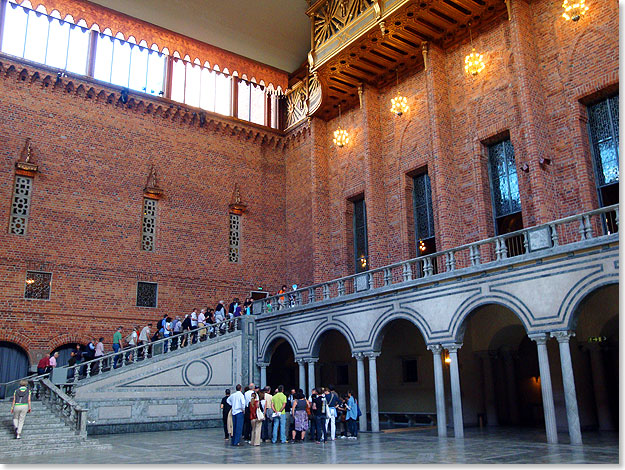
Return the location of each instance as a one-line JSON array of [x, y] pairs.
[[85, 219]]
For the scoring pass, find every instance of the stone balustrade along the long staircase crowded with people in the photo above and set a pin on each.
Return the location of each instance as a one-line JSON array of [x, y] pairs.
[[128, 356]]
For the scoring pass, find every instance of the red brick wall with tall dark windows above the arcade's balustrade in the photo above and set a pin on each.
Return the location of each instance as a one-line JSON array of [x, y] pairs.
[[540, 70]]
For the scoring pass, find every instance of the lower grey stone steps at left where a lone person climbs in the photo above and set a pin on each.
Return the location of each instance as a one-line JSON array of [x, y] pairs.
[[43, 433]]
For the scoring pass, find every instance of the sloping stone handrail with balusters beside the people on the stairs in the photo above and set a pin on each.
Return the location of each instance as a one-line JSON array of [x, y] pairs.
[[95, 366]]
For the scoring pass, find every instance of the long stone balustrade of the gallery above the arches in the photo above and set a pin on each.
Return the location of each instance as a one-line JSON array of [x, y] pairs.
[[598, 223]]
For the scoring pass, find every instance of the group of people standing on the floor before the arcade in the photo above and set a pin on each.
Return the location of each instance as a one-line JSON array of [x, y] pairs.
[[256, 415]]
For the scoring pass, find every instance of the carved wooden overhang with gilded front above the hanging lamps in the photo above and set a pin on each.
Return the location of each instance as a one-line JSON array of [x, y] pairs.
[[373, 58]]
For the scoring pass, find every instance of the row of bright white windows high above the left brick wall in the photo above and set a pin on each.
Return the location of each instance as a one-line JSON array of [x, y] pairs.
[[60, 43]]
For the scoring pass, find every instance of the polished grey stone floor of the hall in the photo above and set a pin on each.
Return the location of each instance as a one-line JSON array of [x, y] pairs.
[[417, 446]]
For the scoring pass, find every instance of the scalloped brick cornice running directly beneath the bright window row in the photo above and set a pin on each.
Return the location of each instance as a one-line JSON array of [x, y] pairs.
[[89, 89]]
